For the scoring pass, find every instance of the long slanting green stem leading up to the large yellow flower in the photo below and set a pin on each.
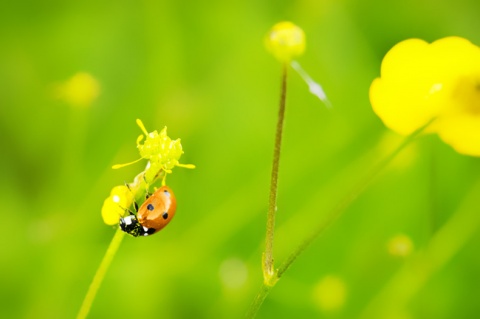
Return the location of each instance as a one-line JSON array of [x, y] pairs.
[[332, 216]]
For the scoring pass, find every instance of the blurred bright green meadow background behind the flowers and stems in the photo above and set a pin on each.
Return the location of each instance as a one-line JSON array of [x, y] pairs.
[[201, 69]]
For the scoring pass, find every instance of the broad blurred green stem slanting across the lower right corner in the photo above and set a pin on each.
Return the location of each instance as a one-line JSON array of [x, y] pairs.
[[441, 248]]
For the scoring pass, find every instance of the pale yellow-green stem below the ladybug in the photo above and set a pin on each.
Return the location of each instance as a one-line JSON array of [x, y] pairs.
[[100, 274]]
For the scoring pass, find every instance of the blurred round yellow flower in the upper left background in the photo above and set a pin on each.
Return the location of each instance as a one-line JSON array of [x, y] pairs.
[[80, 90]]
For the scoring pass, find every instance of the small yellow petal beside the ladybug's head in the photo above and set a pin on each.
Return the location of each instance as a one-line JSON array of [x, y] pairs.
[[120, 199]]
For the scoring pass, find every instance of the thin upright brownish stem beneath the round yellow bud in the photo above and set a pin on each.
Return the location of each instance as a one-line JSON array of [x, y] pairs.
[[268, 268]]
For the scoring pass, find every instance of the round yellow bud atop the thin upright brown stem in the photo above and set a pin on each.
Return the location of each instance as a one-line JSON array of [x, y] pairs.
[[285, 41]]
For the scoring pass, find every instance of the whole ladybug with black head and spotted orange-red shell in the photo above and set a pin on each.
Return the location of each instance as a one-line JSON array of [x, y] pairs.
[[154, 214]]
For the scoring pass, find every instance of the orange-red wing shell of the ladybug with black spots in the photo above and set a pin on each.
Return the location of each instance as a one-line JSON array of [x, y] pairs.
[[158, 210]]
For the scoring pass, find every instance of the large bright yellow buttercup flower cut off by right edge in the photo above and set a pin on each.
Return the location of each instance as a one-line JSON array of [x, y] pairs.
[[421, 81]]
